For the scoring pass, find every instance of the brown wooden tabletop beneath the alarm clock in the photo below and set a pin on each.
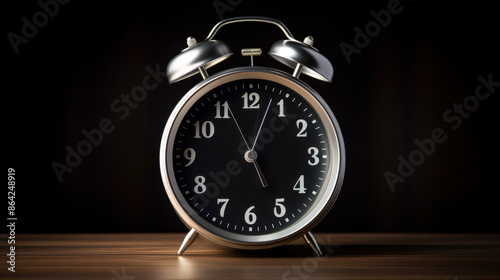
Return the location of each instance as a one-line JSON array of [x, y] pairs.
[[347, 256]]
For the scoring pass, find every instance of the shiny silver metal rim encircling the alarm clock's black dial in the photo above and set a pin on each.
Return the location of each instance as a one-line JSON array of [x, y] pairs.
[[322, 205]]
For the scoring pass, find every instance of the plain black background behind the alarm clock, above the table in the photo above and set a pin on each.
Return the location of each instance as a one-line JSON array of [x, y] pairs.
[[394, 91]]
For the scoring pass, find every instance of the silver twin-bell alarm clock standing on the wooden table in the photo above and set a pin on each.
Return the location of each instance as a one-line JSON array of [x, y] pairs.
[[251, 157]]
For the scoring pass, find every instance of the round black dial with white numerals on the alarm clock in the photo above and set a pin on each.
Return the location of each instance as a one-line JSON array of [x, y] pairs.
[[250, 156]]
